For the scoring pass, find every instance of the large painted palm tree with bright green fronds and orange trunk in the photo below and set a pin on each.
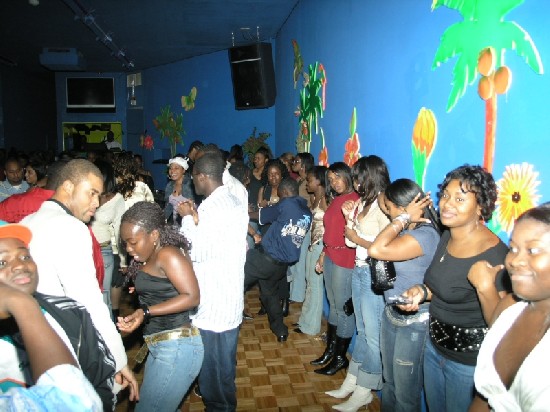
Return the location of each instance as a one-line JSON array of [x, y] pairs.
[[483, 27]]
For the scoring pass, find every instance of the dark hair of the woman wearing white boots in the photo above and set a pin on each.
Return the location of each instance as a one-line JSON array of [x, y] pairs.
[[372, 177]]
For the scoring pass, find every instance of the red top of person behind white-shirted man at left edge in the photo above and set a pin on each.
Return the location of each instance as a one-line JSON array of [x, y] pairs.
[[16, 207]]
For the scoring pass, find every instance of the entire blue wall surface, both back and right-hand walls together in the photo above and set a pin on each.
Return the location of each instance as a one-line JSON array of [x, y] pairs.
[[378, 58]]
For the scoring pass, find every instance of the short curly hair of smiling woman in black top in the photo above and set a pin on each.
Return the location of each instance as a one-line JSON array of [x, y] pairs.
[[476, 180]]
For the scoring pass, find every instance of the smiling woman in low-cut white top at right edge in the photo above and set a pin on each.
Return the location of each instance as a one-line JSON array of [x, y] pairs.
[[513, 362]]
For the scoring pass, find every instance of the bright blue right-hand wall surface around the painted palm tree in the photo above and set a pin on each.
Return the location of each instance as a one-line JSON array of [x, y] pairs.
[[378, 58]]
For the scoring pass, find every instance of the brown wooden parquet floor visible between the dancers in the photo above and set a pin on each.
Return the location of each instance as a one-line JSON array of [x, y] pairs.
[[271, 376]]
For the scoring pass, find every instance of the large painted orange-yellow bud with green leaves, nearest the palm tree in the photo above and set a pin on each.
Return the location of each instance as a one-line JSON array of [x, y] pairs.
[[423, 142]]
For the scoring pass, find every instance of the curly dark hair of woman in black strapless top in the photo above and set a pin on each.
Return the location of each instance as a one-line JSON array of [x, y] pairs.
[[149, 216]]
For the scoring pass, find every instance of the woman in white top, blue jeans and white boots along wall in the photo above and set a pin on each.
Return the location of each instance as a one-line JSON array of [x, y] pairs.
[[364, 221]]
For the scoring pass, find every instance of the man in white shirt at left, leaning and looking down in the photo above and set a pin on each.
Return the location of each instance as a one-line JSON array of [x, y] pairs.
[[62, 249]]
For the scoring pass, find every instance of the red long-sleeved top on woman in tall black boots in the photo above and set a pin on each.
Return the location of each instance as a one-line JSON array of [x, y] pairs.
[[334, 222]]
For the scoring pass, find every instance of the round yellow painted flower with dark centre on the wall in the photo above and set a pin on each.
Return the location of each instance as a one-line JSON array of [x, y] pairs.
[[517, 192]]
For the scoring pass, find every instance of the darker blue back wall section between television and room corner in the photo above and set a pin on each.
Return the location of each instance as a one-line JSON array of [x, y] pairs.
[[214, 119]]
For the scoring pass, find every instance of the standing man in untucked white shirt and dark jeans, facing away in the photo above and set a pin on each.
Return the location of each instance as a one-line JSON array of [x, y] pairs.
[[217, 232]]
